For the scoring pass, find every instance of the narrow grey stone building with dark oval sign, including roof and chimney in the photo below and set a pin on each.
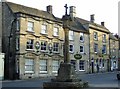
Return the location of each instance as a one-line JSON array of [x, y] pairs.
[[79, 42]]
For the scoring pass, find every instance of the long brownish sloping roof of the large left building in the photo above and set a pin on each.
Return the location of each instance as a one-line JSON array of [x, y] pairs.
[[31, 11]]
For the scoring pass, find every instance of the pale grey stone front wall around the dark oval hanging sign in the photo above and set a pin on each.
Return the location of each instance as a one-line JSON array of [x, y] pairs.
[[82, 64]]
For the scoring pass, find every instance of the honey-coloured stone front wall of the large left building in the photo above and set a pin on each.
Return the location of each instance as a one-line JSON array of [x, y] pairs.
[[38, 54]]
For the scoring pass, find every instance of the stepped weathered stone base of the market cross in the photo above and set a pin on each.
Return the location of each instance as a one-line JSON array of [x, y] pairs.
[[66, 79]]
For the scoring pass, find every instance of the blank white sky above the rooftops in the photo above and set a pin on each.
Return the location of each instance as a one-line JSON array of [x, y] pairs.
[[104, 10]]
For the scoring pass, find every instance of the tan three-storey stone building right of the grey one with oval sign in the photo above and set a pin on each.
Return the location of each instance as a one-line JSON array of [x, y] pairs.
[[98, 45]]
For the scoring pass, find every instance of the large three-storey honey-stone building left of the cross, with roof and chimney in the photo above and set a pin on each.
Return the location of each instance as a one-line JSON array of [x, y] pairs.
[[34, 41]]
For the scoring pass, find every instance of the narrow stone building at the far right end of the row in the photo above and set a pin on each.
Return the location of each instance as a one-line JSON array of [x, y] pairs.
[[114, 52]]
